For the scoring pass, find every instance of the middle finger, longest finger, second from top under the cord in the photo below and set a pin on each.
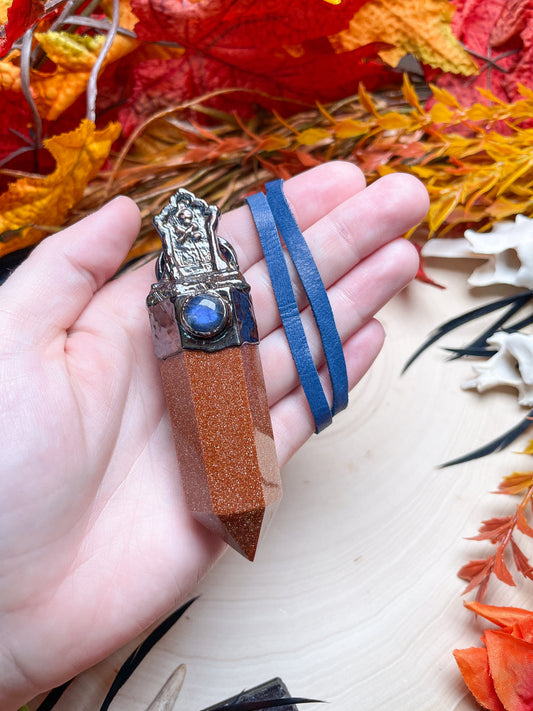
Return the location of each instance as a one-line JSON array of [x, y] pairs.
[[356, 228]]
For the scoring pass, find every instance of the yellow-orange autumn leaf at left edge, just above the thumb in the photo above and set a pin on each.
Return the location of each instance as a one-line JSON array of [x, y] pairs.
[[46, 201]]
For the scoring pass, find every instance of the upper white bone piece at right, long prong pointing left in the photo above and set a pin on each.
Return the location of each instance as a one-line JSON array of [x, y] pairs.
[[509, 248]]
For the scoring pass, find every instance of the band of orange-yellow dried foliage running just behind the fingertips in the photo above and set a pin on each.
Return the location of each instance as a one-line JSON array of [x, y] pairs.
[[474, 178]]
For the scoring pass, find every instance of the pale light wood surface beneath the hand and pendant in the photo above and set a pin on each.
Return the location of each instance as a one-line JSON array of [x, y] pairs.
[[354, 597]]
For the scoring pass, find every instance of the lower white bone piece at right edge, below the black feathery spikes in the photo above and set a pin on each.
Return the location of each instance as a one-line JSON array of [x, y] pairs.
[[511, 365]]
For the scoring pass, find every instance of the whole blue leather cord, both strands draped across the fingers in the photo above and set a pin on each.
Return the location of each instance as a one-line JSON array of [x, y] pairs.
[[272, 217]]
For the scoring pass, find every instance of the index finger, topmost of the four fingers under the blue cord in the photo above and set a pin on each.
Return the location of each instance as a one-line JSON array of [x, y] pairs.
[[311, 195]]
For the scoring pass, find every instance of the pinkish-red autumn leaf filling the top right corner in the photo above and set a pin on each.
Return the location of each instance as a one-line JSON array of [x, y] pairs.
[[500, 36]]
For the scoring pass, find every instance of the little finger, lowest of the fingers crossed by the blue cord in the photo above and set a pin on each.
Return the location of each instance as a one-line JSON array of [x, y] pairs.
[[292, 421]]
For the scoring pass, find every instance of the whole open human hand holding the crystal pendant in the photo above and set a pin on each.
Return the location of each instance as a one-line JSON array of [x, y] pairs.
[[96, 542]]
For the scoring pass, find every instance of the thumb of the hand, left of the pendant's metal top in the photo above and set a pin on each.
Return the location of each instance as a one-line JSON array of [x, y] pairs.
[[47, 293]]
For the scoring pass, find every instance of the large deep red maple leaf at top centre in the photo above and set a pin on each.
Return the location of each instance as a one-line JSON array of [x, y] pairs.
[[266, 48]]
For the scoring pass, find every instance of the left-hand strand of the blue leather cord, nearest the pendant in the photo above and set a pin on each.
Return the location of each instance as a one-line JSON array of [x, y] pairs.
[[288, 309]]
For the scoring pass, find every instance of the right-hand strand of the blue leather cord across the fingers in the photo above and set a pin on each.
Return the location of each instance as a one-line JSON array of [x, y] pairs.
[[315, 290]]
